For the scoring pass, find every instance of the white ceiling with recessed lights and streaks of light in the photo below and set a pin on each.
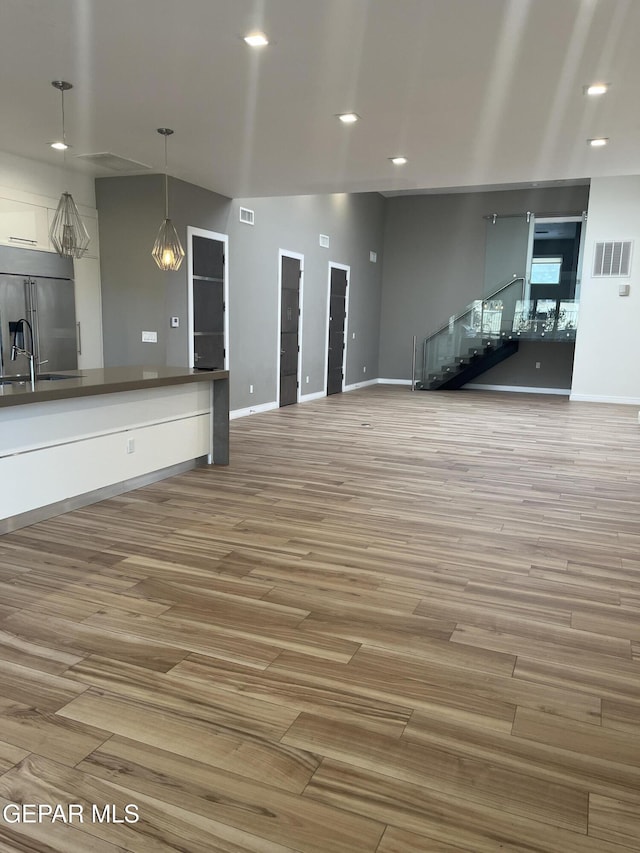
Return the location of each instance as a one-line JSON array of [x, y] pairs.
[[473, 92]]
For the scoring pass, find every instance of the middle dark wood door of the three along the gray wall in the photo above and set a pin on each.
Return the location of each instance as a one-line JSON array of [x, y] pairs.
[[289, 330]]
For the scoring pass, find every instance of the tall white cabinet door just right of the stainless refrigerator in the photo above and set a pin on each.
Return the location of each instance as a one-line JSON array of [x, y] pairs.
[[88, 312]]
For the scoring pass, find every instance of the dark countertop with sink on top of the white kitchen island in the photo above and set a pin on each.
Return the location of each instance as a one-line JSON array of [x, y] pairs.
[[108, 380]]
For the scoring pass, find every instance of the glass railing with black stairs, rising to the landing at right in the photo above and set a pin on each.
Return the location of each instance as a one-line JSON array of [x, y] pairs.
[[488, 331]]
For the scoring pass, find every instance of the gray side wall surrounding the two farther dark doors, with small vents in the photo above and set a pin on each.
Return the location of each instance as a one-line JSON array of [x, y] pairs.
[[354, 224]]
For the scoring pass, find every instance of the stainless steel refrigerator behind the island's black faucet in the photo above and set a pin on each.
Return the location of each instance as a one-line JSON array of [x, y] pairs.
[[37, 287]]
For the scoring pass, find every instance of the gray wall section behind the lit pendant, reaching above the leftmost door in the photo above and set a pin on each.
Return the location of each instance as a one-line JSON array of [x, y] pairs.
[[136, 295]]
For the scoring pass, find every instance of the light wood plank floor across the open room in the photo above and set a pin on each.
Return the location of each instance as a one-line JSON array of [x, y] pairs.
[[398, 622]]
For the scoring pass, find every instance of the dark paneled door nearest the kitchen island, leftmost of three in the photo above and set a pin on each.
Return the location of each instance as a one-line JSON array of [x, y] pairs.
[[208, 303]]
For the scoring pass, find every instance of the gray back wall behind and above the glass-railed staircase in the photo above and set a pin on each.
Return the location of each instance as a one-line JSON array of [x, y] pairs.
[[435, 257]]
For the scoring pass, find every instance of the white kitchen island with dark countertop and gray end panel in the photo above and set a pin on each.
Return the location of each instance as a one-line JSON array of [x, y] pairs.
[[77, 437]]
